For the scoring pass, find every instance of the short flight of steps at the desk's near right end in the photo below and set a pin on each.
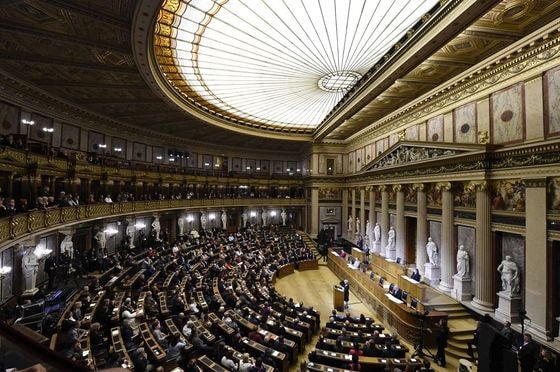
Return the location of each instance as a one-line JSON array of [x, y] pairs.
[[461, 329]]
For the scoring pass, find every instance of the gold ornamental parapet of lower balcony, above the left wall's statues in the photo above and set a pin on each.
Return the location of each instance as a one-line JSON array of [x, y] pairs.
[[18, 226]]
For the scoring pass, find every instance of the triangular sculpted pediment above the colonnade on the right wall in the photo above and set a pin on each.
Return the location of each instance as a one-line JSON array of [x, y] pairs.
[[411, 152]]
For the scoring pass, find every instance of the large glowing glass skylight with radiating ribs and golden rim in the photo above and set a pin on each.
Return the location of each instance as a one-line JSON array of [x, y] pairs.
[[275, 64]]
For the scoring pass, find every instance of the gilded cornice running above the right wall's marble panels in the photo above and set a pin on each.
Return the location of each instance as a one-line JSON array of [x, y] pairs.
[[531, 53]]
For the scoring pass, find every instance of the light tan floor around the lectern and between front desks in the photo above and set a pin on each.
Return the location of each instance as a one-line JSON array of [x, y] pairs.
[[314, 287]]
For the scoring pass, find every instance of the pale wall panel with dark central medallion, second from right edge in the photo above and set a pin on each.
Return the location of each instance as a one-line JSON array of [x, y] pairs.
[[507, 116]]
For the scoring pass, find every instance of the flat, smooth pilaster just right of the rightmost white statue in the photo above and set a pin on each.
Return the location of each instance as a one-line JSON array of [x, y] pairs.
[[536, 262]]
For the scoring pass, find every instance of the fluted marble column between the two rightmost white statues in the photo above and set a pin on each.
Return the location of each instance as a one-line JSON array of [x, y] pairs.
[[484, 289]]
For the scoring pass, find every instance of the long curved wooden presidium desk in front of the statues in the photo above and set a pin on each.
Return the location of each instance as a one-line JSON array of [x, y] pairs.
[[397, 314]]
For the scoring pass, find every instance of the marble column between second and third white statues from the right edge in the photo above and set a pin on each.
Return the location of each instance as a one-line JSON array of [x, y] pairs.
[[447, 249]]
